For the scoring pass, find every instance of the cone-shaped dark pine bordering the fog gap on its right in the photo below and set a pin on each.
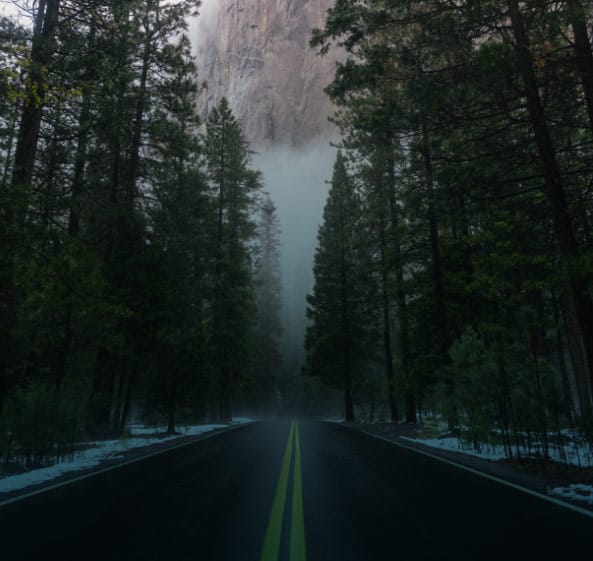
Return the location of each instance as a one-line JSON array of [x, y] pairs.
[[337, 340]]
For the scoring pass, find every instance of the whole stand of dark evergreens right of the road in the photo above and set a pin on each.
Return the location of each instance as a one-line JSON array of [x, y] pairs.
[[453, 269]]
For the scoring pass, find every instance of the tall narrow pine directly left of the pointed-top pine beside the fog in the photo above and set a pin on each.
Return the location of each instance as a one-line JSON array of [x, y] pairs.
[[179, 229]]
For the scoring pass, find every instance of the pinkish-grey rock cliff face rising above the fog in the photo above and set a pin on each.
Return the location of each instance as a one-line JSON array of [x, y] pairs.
[[256, 53]]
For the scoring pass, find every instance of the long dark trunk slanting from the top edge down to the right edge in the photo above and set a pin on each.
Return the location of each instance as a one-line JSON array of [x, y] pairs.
[[579, 303]]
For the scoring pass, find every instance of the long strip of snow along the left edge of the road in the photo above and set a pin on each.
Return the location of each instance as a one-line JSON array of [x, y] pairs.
[[103, 450]]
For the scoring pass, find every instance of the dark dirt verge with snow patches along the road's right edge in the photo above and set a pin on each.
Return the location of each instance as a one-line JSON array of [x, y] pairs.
[[562, 480]]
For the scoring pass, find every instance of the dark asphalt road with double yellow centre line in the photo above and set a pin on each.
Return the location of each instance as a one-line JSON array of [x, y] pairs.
[[290, 491]]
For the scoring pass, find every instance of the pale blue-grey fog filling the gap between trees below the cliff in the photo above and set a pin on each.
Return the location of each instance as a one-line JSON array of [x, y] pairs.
[[296, 180]]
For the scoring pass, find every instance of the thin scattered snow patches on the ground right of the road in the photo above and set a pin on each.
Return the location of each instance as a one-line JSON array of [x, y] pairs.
[[575, 492]]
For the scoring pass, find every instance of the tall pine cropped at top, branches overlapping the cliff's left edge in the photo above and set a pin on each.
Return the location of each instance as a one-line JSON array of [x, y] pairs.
[[137, 45]]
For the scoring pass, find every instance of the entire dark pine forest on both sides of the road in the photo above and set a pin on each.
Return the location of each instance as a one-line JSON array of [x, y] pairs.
[[140, 247]]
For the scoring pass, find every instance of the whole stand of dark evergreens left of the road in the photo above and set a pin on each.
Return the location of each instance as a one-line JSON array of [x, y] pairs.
[[139, 251]]
